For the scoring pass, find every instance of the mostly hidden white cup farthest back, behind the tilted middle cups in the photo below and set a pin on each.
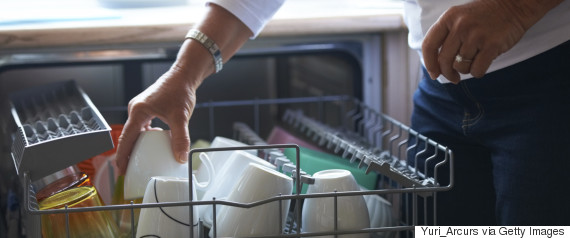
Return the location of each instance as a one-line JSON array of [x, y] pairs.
[[218, 157]]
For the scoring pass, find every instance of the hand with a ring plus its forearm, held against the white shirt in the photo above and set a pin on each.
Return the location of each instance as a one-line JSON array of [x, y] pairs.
[[478, 32]]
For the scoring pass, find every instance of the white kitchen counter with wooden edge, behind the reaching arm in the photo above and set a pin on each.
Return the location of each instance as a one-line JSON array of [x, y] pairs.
[[33, 24]]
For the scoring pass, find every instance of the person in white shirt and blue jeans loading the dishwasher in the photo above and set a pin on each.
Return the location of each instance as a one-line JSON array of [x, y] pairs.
[[499, 98]]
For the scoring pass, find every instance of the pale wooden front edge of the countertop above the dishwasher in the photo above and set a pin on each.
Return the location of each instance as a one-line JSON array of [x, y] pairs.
[[114, 35]]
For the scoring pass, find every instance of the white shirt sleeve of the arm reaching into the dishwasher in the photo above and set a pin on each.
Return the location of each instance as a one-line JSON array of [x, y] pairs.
[[253, 13]]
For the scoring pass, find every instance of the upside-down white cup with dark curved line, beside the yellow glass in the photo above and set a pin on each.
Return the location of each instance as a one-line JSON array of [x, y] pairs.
[[168, 221]]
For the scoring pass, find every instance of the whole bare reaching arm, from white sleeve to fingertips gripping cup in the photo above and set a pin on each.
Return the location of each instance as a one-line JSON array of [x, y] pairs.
[[173, 96]]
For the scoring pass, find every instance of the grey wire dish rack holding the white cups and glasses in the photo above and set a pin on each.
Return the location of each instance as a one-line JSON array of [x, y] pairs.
[[341, 125]]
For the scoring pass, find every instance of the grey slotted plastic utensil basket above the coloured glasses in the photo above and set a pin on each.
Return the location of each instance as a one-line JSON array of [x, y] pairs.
[[54, 118]]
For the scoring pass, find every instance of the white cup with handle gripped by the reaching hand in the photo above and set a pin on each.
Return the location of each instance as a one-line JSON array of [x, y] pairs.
[[152, 156]]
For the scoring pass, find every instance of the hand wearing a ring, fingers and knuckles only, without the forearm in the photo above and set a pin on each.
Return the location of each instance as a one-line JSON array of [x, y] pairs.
[[461, 31]]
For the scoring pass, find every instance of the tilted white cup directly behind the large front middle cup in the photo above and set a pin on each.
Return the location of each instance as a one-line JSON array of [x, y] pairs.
[[227, 175]]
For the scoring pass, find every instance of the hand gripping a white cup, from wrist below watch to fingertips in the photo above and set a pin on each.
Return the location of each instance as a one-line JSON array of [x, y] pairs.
[[171, 99]]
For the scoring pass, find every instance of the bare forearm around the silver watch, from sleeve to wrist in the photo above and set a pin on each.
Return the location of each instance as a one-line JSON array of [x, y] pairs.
[[227, 31]]
